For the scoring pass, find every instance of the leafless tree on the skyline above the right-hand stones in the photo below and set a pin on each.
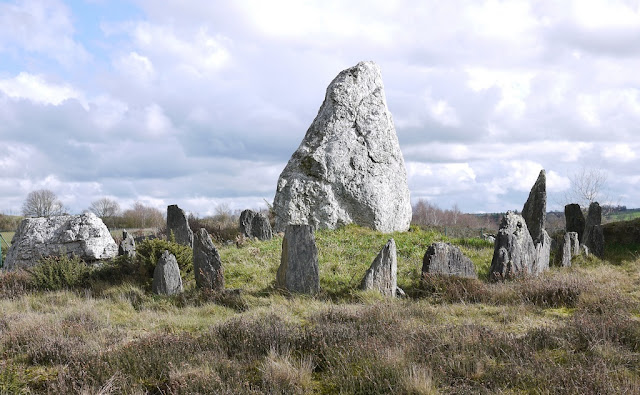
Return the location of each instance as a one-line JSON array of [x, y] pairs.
[[588, 185]]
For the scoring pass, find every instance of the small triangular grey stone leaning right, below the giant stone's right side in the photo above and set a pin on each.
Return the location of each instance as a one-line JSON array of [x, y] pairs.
[[382, 276]]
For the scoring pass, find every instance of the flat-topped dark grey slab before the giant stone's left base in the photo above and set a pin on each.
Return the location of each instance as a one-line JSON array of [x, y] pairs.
[[298, 271]]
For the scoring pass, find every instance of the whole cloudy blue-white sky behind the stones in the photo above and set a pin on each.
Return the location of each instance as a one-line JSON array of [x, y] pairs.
[[202, 103]]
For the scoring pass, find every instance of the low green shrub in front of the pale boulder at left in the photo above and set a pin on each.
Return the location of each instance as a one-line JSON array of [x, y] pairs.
[[53, 273]]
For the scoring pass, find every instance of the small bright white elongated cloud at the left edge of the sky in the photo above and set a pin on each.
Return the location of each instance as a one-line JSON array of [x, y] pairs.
[[35, 88]]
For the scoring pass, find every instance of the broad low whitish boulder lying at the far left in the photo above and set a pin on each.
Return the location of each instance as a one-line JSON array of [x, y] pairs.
[[83, 235]]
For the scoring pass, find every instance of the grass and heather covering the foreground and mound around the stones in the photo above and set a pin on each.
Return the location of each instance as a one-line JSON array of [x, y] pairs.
[[572, 330]]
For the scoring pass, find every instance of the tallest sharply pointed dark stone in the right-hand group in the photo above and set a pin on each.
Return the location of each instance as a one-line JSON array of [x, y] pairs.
[[534, 213]]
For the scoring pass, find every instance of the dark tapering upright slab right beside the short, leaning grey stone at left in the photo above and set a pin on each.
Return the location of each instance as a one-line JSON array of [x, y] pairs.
[[207, 265]]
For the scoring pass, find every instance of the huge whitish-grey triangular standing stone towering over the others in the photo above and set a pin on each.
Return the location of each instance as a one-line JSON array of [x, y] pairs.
[[349, 167]]
